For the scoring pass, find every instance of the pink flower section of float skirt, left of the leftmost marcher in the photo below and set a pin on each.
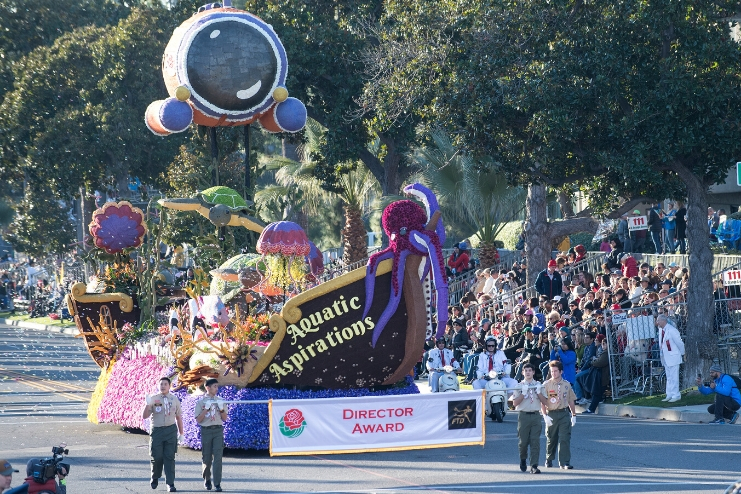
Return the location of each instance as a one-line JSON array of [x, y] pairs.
[[130, 382]]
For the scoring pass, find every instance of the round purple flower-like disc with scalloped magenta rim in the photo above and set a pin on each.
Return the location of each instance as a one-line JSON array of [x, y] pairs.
[[118, 226]]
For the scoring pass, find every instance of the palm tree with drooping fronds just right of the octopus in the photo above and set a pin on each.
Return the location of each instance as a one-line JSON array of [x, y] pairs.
[[477, 199]]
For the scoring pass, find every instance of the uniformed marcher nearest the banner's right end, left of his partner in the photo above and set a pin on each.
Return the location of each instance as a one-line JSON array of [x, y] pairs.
[[527, 400]]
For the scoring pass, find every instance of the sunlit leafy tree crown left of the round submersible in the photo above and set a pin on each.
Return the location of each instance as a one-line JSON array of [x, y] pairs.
[[75, 115]]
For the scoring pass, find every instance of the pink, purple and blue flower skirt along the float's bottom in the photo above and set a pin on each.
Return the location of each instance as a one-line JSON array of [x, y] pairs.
[[247, 426]]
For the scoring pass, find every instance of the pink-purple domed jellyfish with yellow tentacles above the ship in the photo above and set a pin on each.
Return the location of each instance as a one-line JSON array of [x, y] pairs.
[[284, 247]]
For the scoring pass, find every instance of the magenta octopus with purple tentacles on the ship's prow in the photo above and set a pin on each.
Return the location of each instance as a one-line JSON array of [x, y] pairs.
[[406, 225]]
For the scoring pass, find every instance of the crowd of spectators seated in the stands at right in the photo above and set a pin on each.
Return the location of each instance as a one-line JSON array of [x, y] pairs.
[[568, 319]]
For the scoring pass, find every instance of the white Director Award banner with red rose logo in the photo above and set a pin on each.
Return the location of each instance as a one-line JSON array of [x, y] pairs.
[[376, 423]]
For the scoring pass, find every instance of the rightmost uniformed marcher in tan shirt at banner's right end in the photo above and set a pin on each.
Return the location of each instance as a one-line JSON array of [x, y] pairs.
[[559, 414]]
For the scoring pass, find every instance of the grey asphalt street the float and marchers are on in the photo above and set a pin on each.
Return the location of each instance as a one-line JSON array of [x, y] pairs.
[[46, 379]]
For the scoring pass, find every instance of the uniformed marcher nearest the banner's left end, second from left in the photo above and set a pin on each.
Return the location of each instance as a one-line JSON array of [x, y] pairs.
[[211, 412]]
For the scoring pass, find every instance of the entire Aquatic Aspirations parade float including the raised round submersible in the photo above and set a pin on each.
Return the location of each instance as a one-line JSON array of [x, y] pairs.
[[281, 333]]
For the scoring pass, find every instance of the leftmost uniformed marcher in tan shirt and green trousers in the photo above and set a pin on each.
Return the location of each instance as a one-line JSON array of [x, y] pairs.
[[167, 431]]
